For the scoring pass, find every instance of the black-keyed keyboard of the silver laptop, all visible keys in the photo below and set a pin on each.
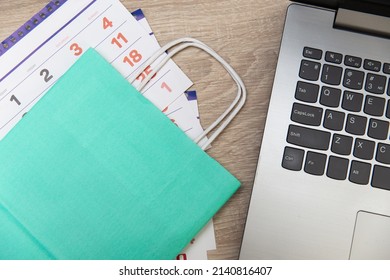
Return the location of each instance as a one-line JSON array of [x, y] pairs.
[[341, 114]]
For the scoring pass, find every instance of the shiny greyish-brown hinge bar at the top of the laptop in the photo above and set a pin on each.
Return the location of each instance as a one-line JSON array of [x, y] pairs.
[[362, 22]]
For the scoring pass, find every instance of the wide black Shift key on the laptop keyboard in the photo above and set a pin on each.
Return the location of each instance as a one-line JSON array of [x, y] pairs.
[[309, 138]]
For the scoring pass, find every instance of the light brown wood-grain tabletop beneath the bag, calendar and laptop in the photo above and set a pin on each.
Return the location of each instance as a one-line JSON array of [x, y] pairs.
[[247, 34]]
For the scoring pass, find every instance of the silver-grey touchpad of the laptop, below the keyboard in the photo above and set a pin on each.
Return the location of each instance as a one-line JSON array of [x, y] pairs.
[[371, 239]]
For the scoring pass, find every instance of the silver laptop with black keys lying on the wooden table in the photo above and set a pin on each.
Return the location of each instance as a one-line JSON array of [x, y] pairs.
[[322, 186]]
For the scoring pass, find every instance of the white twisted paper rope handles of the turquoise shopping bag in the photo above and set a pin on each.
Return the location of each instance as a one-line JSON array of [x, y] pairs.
[[180, 44]]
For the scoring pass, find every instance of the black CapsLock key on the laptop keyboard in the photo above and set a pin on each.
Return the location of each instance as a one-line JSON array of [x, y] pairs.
[[306, 114]]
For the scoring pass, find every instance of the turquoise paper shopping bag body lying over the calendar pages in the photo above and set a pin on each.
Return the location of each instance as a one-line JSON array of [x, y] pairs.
[[95, 171]]
